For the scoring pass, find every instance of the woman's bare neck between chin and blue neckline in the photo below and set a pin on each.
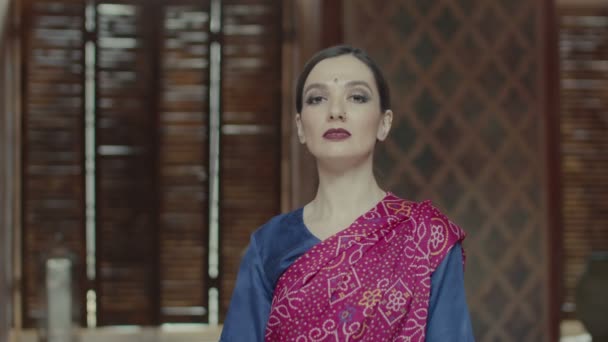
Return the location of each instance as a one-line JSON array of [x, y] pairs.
[[346, 191]]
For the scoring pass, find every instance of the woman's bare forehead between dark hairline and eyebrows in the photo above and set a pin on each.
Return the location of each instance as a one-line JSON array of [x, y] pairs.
[[343, 69]]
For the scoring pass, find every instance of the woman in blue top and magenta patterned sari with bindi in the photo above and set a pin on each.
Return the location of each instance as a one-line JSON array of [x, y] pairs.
[[336, 270]]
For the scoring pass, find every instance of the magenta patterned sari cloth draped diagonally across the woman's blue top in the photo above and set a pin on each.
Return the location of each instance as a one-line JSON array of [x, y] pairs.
[[369, 282]]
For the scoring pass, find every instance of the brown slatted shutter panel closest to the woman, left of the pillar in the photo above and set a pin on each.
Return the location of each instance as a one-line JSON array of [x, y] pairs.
[[250, 156]]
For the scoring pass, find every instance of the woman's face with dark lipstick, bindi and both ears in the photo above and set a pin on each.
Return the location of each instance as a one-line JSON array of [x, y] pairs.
[[341, 117]]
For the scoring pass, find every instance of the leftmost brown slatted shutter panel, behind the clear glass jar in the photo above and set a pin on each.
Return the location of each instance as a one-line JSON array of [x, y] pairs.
[[53, 172]]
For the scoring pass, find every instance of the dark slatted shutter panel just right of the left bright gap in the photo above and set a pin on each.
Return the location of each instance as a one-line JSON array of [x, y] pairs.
[[125, 146]]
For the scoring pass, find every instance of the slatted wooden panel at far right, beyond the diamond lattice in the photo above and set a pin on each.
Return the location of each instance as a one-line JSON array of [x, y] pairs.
[[584, 77]]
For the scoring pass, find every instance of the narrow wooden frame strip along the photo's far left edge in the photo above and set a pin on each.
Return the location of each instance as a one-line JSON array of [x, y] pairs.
[[10, 122]]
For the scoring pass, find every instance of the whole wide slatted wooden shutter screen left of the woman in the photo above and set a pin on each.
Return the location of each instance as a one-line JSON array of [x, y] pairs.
[[151, 76]]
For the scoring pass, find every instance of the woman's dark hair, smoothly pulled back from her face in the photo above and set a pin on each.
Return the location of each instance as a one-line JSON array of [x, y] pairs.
[[336, 51]]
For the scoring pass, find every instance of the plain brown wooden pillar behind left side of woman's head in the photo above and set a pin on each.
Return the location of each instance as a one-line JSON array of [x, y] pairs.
[[309, 26]]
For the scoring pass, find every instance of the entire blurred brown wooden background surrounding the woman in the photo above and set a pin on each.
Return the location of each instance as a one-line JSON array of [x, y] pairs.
[[142, 141]]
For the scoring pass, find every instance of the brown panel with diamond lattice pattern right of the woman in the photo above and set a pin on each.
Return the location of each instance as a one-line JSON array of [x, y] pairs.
[[467, 134]]
